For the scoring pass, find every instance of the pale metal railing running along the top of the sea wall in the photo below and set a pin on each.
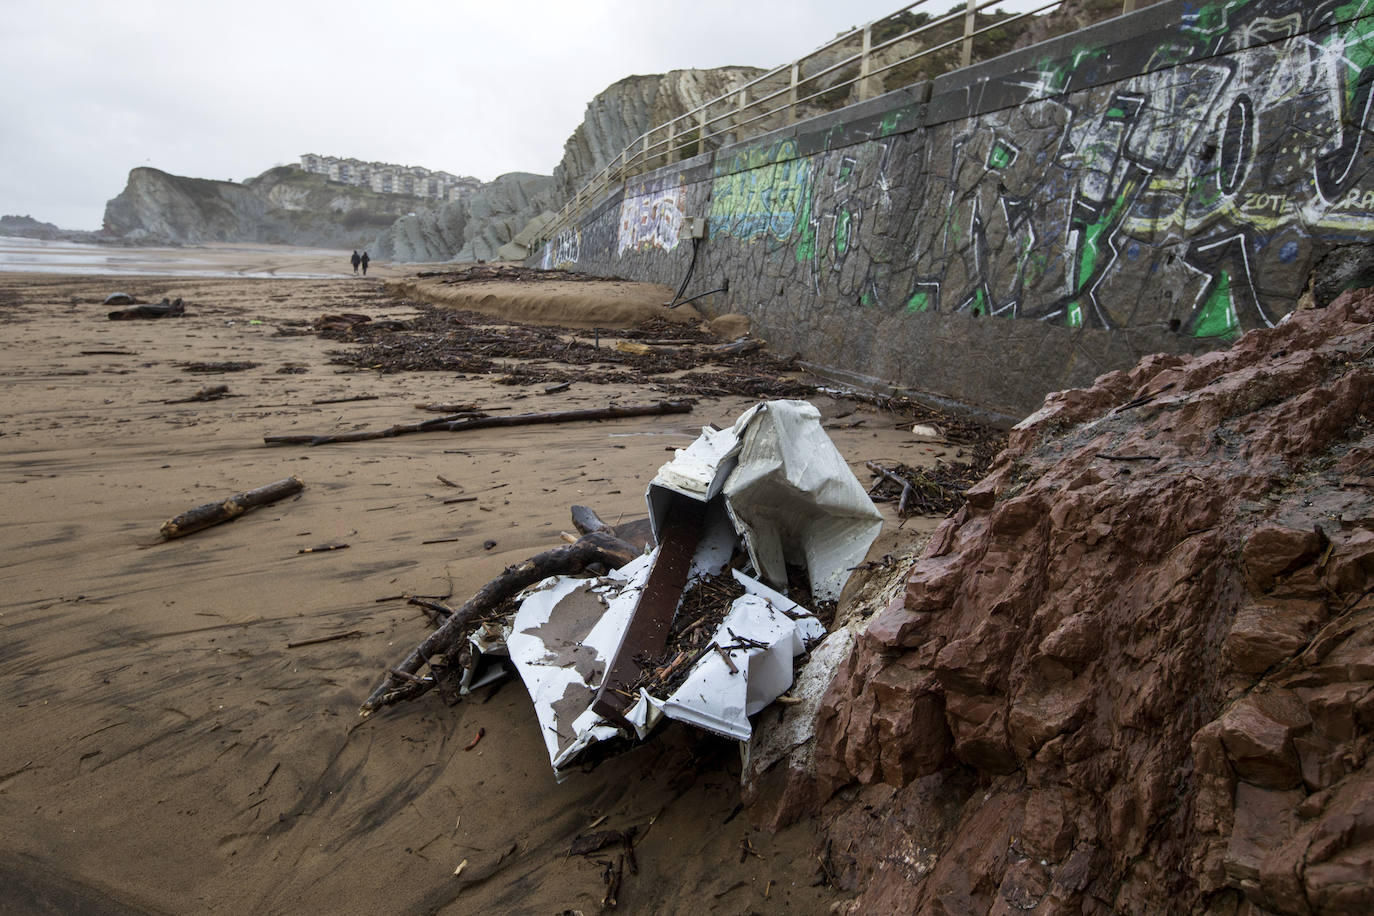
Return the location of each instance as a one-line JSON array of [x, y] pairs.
[[787, 94]]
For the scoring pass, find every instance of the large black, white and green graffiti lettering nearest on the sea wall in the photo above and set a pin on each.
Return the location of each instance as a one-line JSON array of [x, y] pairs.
[[1207, 182]]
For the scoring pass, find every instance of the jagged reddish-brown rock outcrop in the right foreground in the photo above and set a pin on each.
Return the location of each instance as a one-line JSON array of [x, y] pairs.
[[1136, 674]]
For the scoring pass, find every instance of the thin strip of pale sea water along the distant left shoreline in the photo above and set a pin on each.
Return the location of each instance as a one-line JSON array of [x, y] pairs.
[[39, 256]]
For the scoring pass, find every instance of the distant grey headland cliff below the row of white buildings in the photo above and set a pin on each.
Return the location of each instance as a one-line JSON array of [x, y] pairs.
[[284, 207]]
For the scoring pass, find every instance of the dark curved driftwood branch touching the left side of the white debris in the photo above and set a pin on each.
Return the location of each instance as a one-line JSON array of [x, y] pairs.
[[402, 683]]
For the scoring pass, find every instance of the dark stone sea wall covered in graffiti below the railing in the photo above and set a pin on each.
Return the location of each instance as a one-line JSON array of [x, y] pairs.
[[1158, 183]]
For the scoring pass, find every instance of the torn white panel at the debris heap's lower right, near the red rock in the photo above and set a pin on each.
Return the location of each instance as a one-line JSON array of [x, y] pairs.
[[761, 641]]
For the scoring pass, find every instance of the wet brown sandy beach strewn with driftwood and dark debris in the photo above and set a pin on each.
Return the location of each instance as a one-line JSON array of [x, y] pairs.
[[168, 751]]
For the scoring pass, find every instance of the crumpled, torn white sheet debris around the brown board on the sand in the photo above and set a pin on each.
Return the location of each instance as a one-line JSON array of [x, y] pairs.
[[774, 481]]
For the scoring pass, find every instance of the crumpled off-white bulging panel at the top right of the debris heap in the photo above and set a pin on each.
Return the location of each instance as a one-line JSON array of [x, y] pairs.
[[793, 498]]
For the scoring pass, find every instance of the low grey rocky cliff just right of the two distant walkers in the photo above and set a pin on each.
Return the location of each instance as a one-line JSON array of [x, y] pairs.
[[471, 229]]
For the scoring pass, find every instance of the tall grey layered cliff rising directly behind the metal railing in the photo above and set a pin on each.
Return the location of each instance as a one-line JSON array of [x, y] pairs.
[[627, 109]]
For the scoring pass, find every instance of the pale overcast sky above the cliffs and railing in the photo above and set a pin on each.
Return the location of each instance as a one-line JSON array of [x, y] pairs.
[[94, 89]]
